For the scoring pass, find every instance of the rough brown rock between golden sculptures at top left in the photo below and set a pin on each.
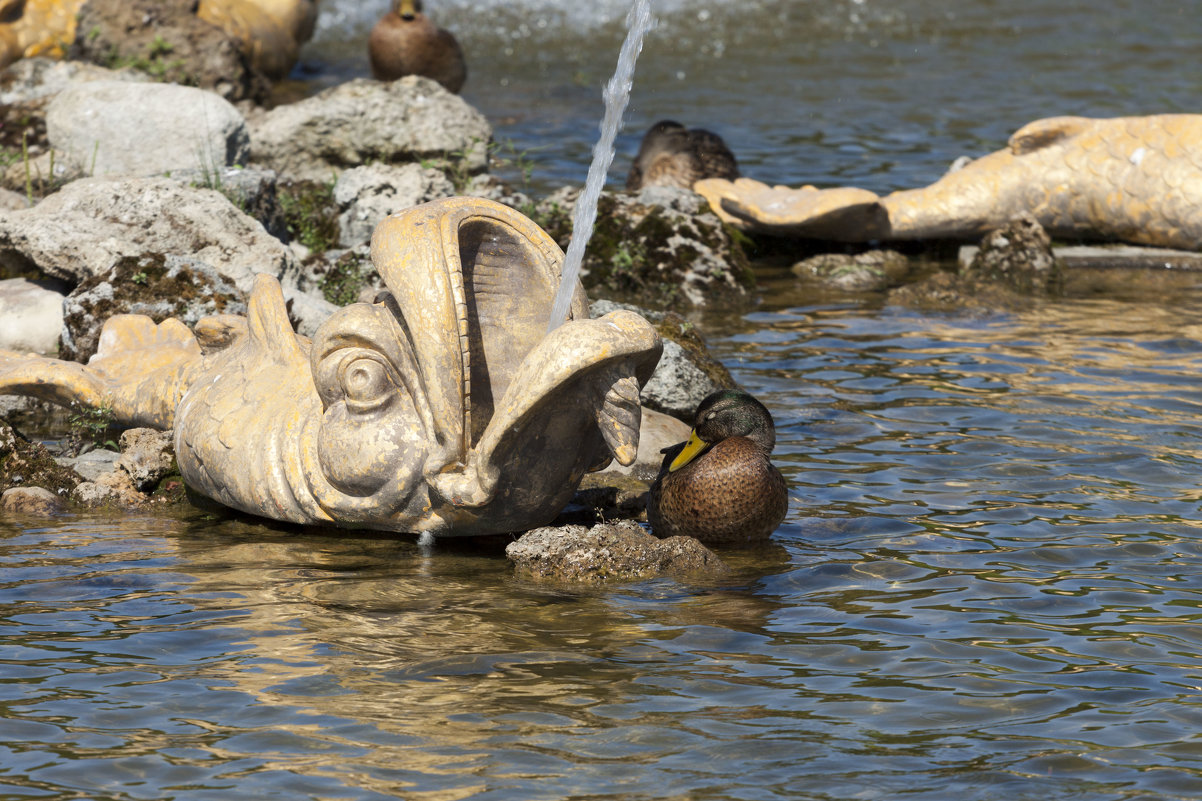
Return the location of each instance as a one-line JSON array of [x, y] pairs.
[[166, 40]]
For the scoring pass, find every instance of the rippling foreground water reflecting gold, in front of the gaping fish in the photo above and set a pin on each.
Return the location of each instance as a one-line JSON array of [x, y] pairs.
[[987, 588]]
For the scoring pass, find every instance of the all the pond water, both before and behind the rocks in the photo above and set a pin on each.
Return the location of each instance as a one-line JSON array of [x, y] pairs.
[[989, 586]]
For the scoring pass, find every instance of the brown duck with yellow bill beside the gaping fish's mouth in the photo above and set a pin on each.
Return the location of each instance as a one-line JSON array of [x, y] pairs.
[[721, 486]]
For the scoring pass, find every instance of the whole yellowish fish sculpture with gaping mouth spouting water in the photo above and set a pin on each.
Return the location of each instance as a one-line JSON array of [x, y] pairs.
[[444, 407]]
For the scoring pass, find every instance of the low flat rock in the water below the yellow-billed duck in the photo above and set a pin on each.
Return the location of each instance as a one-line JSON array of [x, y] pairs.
[[621, 551]]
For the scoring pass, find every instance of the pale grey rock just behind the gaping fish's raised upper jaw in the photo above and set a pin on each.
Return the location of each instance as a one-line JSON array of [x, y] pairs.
[[367, 195]]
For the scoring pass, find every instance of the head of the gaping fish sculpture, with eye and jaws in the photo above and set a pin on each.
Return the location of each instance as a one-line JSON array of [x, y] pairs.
[[501, 414]]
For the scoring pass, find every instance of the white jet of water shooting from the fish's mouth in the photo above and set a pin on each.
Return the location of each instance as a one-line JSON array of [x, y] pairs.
[[617, 96]]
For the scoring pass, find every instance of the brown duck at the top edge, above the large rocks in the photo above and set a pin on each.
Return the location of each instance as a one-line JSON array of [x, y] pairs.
[[407, 43]]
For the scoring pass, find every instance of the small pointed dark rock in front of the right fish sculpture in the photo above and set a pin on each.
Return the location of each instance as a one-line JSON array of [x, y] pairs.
[[1019, 257]]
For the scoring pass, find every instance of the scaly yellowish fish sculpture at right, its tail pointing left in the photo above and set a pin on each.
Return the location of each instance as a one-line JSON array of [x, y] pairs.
[[1133, 179]]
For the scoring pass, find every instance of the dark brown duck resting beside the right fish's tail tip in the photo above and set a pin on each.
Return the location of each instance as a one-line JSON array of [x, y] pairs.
[[674, 156]]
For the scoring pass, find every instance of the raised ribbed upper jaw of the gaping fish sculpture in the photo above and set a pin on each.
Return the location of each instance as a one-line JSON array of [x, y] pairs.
[[496, 264]]
